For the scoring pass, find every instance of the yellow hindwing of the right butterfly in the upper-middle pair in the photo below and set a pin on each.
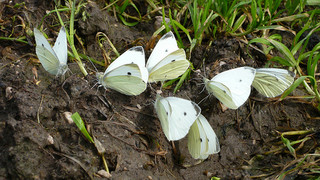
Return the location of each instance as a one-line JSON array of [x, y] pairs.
[[172, 66]]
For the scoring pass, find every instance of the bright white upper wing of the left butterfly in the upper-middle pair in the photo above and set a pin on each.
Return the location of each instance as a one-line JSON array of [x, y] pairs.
[[134, 55]]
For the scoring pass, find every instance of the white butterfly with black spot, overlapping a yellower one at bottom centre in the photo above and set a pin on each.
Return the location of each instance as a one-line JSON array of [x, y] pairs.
[[176, 116]]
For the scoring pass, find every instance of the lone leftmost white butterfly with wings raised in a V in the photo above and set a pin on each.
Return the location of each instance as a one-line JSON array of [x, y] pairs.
[[54, 60]]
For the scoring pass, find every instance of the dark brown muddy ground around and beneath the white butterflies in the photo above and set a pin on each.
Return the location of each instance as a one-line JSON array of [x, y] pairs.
[[36, 142]]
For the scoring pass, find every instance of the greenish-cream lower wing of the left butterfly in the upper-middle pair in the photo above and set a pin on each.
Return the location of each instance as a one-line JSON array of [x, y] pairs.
[[125, 79]]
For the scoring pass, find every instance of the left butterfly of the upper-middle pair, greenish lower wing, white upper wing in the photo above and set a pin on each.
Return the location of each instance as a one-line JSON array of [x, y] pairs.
[[127, 74]]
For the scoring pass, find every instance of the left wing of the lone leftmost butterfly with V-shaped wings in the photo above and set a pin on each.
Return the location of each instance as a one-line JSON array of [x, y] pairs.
[[45, 53]]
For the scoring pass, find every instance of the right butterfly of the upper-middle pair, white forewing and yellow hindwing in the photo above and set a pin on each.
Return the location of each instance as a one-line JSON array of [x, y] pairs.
[[166, 61]]
